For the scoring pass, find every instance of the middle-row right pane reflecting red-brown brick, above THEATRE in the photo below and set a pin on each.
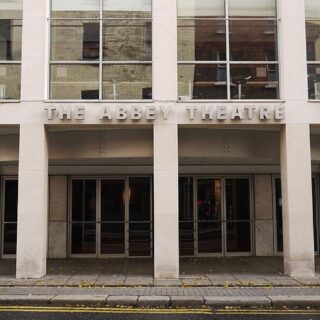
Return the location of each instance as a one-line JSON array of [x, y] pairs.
[[253, 40]]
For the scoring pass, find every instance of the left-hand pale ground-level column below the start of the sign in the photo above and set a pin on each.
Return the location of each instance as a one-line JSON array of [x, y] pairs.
[[32, 202]]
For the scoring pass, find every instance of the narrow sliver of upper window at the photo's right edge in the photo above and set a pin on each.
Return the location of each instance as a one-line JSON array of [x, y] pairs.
[[313, 48]]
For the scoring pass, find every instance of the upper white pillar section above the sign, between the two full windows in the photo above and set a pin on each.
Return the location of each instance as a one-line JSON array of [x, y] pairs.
[[164, 50]]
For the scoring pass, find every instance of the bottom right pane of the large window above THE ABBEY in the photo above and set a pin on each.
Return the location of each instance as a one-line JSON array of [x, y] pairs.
[[127, 81]]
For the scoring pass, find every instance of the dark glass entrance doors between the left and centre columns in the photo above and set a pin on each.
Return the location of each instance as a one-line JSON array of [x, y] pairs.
[[110, 217]]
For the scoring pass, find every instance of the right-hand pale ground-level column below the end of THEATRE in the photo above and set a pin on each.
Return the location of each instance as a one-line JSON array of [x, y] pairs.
[[297, 209]]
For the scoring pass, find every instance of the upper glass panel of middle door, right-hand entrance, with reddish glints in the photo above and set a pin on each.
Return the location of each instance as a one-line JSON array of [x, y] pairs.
[[209, 199]]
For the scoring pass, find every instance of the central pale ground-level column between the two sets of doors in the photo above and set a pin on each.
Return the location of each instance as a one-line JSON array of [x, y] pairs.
[[166, 216]]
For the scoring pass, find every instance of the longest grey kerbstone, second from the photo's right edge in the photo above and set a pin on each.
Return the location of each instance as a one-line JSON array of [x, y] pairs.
[[237, 301]]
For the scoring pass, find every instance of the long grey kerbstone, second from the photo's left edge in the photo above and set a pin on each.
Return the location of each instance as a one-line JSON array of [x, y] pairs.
[[79, 300]]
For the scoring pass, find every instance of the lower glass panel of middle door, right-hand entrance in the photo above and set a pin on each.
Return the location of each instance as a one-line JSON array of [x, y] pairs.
[[209, 237]]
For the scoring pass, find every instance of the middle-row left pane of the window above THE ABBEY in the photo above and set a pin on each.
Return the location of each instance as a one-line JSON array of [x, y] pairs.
[[74, 40]]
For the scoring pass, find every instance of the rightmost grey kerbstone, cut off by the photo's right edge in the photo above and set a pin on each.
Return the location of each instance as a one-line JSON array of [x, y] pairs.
[[295, 301]]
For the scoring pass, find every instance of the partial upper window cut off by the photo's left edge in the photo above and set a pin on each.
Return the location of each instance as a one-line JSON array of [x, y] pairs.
[[10, 49]]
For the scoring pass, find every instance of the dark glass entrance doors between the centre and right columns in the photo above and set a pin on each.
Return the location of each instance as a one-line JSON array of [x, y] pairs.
[[215, 216]]
